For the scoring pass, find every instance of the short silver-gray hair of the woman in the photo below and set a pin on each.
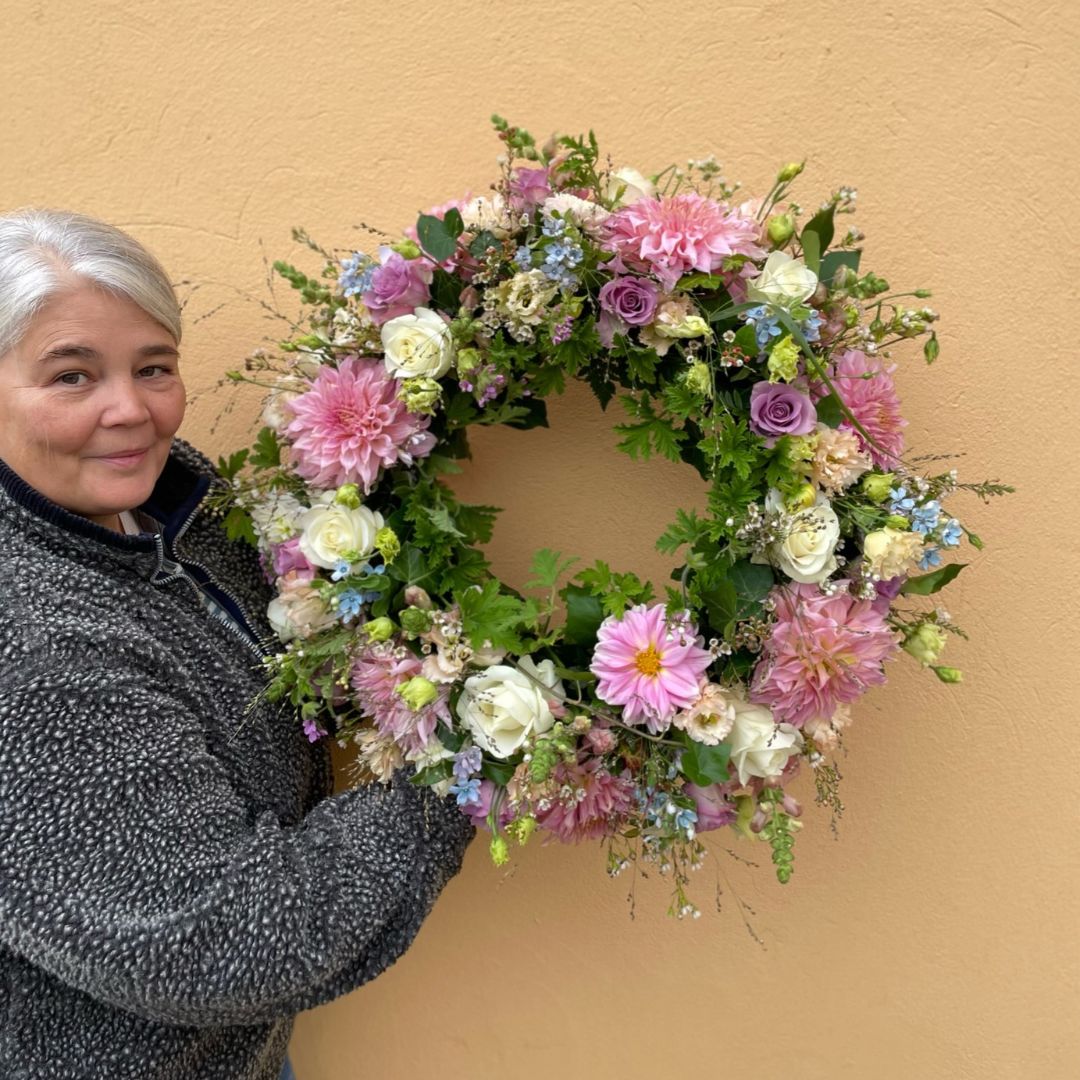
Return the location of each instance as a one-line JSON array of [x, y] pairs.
[[42, 251]]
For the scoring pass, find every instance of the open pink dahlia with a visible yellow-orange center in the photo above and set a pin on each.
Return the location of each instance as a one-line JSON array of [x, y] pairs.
[[650, 666]]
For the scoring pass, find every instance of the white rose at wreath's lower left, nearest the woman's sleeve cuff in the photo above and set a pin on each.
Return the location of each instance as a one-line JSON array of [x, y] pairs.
[[504, 707]]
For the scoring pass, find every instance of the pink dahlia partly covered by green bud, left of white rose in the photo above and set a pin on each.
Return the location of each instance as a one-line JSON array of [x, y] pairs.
[[377, 671]]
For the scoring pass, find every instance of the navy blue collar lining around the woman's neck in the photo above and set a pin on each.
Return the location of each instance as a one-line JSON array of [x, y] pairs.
[[179, 491]]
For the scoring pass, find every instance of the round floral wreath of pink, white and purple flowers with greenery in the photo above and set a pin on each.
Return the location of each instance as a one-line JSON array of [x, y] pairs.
[[751, 347]]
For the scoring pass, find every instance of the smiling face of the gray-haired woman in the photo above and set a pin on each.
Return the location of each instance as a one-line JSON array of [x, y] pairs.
[[90, 400]]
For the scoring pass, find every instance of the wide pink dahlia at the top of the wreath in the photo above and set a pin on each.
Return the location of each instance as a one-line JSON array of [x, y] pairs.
[[672, 237]]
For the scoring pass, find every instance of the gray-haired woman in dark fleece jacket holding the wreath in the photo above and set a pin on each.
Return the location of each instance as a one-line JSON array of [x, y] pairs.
[[177, 882]]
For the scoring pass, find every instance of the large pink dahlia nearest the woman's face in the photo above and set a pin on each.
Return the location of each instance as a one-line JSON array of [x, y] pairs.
[[350, 424]]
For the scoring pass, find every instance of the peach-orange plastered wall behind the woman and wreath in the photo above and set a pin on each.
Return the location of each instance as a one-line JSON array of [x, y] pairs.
[[939, 938]]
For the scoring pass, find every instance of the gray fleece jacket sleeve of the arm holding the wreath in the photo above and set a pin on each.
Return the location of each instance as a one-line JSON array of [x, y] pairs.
[[131, 870]]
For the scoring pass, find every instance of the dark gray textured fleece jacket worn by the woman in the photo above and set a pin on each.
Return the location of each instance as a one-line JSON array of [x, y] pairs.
[[177, 882]]
